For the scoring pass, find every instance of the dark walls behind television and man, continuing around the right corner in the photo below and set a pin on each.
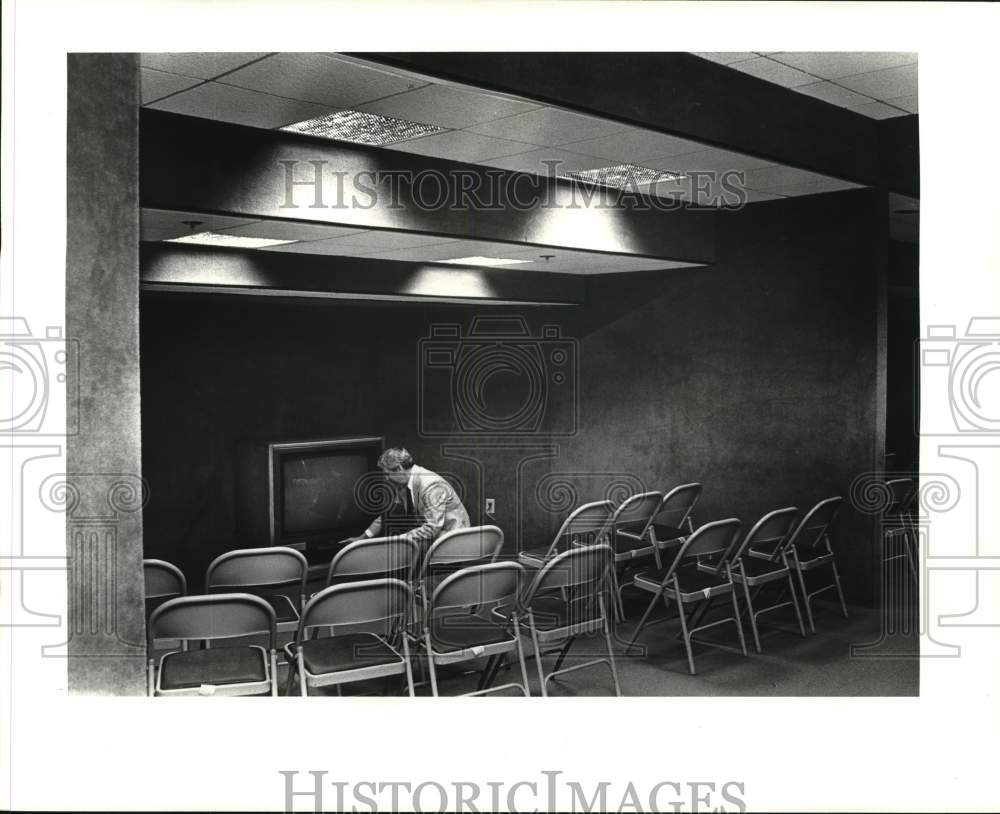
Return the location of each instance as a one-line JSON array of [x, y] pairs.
[[756, 377]]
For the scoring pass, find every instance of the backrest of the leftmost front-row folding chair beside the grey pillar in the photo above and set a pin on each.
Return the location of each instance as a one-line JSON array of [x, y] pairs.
[[211, 616]]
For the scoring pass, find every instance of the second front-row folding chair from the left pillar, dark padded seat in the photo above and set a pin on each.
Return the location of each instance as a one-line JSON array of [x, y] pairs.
[[366, 619]]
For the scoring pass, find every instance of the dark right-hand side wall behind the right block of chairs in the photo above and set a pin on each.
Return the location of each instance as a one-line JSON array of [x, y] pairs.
[[755, 377]]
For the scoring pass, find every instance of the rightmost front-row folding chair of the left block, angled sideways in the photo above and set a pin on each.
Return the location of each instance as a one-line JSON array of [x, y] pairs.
[[566, 600]]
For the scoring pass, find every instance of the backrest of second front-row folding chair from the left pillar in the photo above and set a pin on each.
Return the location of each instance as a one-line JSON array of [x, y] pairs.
[[373, 604]]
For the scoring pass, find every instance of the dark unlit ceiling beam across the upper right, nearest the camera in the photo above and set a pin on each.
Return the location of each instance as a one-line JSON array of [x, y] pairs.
[[683, 95]]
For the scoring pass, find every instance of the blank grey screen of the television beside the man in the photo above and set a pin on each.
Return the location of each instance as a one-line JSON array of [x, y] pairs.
[[318, 492]]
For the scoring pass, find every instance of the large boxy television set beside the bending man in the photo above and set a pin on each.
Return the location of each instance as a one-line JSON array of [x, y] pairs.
[[293, 493]]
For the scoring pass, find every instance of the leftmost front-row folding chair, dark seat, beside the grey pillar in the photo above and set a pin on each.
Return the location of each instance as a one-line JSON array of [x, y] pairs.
[[231, 670]]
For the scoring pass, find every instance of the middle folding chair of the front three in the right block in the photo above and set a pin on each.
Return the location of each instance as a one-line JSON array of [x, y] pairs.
[[773, 530]]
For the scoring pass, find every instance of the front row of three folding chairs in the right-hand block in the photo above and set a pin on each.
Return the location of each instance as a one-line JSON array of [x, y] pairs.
[[715, 559]]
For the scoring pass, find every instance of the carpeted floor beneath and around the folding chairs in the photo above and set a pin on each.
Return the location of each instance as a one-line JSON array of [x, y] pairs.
[[821, 664]]
